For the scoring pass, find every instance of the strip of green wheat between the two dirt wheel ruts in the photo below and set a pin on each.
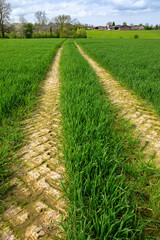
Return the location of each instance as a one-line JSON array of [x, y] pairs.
[[107, 194]]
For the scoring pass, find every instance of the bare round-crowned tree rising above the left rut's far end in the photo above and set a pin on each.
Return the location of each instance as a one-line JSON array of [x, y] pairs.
[[61, 21]]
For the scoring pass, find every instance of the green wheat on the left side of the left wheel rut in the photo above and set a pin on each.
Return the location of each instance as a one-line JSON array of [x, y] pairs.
[[23, 64]]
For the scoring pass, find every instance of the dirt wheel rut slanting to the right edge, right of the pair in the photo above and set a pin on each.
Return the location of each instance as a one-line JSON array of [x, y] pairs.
[[140, 113]]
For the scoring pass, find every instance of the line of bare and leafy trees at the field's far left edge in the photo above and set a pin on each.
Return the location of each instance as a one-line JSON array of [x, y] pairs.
[[61, 26]]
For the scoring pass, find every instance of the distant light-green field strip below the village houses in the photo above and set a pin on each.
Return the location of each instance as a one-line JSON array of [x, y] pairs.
[[145, 34]]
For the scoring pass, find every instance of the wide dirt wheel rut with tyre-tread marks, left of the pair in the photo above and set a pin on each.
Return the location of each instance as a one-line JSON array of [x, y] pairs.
[[35, 205]]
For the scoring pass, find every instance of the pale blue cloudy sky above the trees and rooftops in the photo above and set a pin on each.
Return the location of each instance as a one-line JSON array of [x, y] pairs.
[[90, 11]]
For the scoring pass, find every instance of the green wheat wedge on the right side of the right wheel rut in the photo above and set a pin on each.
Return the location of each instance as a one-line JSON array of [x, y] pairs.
[[135, 63]]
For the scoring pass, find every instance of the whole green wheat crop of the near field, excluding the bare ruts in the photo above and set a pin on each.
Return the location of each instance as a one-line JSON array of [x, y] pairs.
[[108, 185]]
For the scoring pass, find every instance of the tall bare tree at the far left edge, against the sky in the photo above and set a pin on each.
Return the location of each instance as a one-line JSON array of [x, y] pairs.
[[5, 10]]
